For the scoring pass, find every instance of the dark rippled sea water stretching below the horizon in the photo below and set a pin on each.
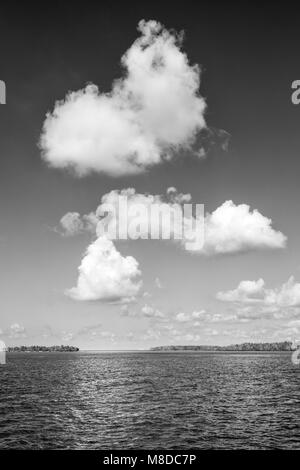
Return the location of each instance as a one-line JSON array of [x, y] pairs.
[[147, 400]]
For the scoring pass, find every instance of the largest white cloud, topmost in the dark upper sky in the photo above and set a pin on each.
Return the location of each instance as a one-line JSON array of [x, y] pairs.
[[151, 113]]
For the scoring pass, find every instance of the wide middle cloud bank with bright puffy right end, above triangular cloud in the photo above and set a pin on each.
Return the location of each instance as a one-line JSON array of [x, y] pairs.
[[229, 229]]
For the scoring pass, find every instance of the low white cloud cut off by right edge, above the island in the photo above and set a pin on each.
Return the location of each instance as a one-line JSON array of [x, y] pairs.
[[255, 292]]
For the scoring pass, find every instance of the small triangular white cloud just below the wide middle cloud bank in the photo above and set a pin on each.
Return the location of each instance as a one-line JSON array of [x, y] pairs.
[[104, 274]]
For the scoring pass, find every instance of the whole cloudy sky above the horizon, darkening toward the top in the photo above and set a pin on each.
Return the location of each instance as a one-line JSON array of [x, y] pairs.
[[208, 113]]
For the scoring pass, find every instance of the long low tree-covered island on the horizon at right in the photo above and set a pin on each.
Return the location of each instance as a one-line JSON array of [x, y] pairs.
[[283, 346]]
